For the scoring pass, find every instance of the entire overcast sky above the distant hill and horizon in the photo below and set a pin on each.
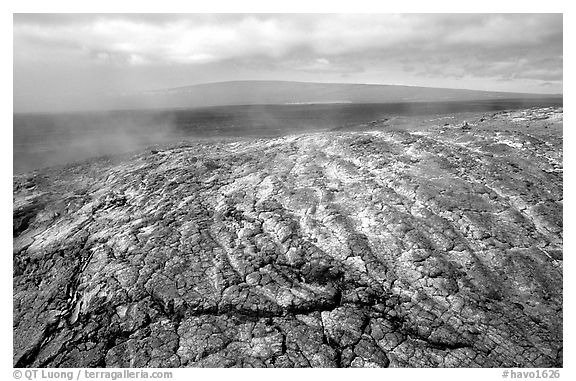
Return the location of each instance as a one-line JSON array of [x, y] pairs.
[[69, 60]]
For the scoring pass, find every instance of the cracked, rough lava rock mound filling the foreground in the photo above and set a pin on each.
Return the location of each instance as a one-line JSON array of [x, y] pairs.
[[439, 246]]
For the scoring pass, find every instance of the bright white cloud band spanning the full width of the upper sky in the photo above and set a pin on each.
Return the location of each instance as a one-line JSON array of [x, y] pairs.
[[186, 39]]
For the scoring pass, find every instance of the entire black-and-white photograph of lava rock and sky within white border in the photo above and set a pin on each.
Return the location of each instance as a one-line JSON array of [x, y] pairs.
[[287, 190]]
